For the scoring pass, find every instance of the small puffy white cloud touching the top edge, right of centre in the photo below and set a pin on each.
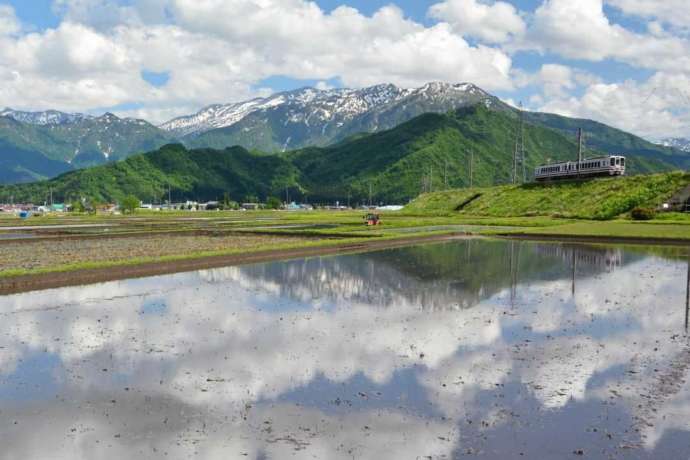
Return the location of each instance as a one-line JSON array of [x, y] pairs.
[[491, 22]]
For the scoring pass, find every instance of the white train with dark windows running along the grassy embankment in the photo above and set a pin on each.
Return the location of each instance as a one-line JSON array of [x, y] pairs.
[[613, 165]]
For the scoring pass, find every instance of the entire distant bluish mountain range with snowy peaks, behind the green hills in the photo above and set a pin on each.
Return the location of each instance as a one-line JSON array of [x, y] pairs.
[[39, 145]]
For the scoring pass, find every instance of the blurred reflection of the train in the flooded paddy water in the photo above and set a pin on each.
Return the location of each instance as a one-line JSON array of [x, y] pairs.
[[608, 259]]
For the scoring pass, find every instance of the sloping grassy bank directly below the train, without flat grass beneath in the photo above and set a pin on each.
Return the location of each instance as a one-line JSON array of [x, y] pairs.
[[592, 199]]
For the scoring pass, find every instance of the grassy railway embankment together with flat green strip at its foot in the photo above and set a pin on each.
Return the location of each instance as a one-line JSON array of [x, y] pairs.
[[596, 208]]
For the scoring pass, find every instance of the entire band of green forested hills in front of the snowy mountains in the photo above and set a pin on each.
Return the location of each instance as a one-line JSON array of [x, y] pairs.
[[393, 164]]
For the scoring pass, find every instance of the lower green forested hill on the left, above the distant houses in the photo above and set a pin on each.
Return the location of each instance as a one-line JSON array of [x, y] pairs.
[[203, 174]]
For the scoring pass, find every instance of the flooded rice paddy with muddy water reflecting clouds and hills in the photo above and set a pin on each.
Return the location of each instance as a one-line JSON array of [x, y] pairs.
[[484, 349]]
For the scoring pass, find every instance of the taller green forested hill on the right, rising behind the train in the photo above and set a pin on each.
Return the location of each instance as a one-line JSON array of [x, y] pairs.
[[396, 162]]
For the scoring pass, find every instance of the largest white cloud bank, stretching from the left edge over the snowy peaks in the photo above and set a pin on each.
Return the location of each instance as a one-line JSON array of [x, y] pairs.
[[217, 51]]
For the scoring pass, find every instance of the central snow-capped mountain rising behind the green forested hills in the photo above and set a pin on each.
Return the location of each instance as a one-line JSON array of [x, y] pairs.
[[310, 116]]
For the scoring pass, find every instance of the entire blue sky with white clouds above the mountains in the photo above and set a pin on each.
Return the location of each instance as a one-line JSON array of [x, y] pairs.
[[622, 62]]
